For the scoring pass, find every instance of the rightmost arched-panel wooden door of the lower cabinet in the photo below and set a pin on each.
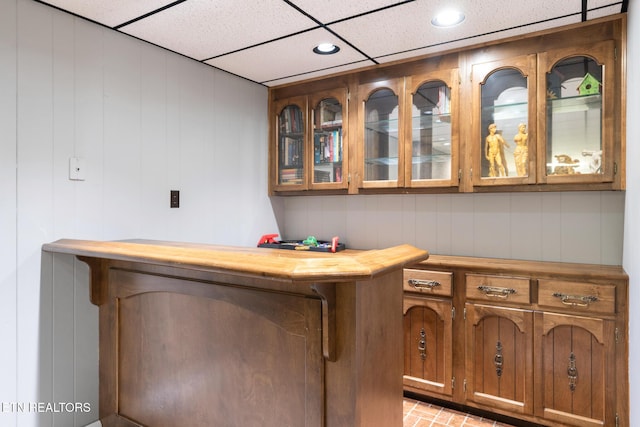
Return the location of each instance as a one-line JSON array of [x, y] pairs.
[[576, 369]]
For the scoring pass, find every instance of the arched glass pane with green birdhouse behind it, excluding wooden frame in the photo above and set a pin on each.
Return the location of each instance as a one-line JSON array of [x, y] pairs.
[[574, 117]]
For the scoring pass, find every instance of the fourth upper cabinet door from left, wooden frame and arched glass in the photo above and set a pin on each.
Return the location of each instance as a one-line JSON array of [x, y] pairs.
[[433, 130]]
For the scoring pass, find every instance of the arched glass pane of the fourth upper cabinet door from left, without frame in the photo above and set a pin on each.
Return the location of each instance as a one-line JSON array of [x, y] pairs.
[[431, 132]]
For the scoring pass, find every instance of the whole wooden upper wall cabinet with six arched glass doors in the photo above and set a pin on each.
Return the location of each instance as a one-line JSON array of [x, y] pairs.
[[535, 113]]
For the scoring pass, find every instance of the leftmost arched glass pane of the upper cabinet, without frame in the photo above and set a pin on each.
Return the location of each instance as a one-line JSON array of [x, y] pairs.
[[291, 146]]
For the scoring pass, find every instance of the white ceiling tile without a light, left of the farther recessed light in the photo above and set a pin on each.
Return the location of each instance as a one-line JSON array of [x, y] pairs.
[[203, 29]]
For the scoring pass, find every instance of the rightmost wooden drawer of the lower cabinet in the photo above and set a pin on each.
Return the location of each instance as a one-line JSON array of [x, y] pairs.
[[577, 296]]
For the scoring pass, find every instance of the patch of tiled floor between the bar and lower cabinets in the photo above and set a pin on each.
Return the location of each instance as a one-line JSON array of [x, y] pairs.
[[423, 414]]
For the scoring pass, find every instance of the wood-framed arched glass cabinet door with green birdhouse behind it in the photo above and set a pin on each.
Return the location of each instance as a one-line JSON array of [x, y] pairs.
[[578, 115]]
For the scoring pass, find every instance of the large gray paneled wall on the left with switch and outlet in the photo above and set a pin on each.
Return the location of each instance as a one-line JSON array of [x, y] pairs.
[[145, 121]]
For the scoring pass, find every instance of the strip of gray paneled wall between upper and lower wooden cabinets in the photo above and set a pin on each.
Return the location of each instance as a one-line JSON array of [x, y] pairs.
[[582, 227]]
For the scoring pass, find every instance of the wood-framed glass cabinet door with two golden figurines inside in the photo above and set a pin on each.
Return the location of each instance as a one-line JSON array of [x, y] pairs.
[[504, 152]]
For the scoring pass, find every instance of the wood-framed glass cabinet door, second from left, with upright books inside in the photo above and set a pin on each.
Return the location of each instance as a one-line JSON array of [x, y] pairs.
[[329, 162]]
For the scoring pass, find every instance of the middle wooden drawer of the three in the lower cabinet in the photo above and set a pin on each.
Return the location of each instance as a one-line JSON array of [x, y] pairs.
[[498, 288]]
